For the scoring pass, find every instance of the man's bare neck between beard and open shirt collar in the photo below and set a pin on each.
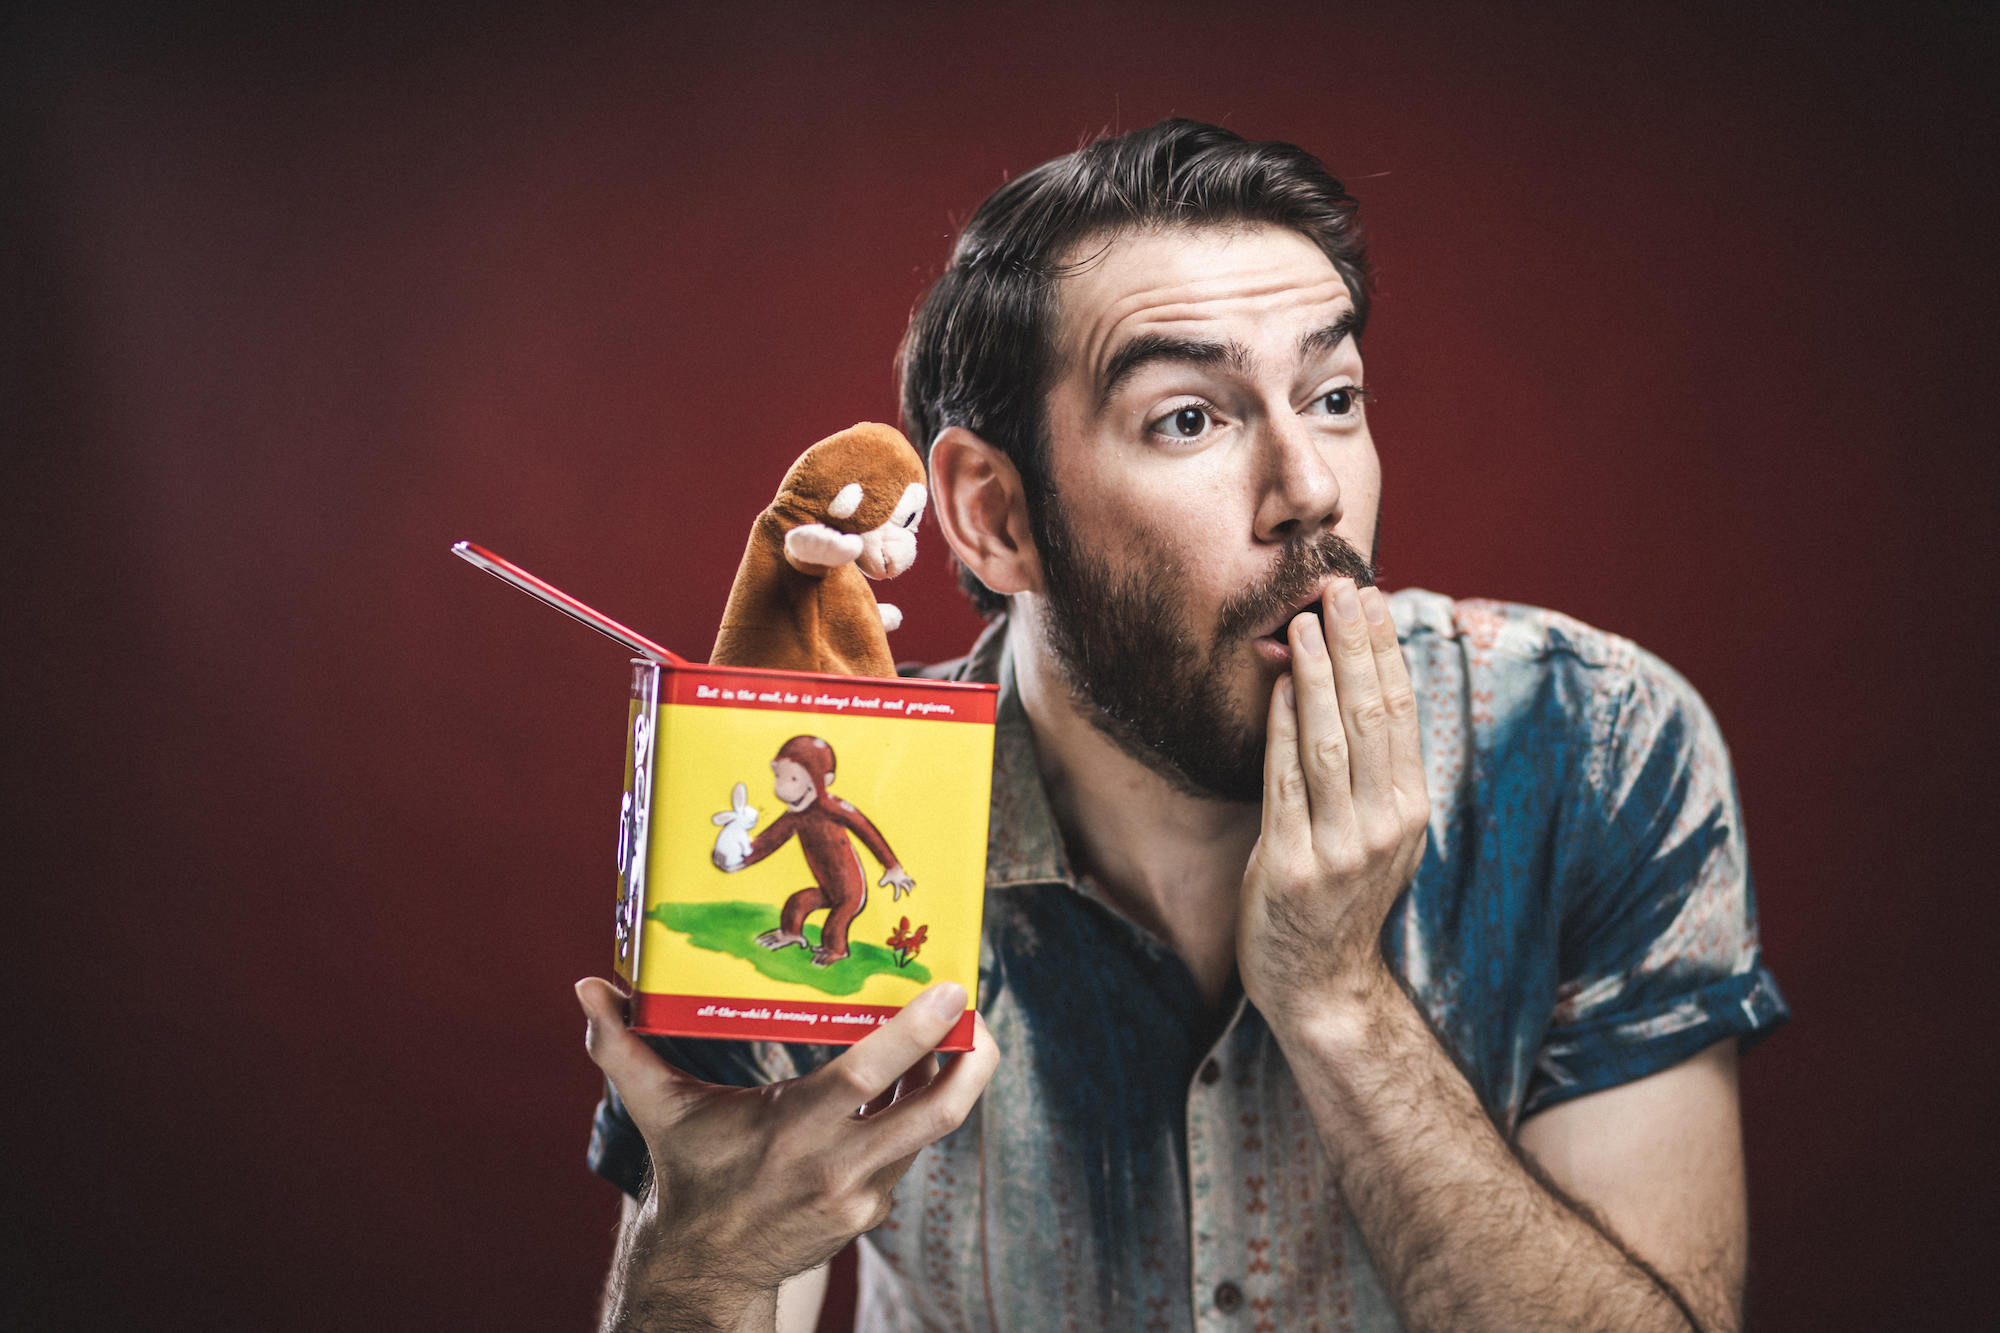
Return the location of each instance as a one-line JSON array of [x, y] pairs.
[[1171, 862]]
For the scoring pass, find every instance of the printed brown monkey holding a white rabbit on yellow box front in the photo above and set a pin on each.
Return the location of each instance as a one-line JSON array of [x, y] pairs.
[[801, 780]]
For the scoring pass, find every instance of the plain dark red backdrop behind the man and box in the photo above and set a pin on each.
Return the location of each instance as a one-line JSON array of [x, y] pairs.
[[1685, 327]]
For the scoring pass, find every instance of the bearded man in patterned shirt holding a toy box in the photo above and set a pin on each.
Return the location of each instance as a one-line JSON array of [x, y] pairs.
[[1357, 962]]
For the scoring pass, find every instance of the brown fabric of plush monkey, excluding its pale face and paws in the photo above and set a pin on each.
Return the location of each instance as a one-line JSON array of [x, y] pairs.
[[797, 621]]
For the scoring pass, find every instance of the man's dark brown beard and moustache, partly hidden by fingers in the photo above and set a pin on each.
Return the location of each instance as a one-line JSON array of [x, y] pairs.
[[1141, 670]]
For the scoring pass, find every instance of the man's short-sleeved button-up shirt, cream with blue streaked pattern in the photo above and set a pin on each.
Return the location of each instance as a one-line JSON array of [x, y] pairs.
[[1583, 918]]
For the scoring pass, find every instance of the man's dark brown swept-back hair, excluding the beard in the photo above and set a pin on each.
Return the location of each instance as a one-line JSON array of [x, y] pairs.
[[981, 347]]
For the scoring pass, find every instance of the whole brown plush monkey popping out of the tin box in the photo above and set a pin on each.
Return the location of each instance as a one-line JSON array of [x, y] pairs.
[[849, 507]]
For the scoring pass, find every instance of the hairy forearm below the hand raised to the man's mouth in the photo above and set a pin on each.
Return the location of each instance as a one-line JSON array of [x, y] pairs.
[[1463, 1234]]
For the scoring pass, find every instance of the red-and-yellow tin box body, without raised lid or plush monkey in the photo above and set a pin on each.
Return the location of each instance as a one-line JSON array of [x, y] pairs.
[[813, 850]]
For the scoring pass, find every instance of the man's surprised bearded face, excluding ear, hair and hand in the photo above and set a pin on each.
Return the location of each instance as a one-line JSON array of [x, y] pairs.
[[1213, 471]]
